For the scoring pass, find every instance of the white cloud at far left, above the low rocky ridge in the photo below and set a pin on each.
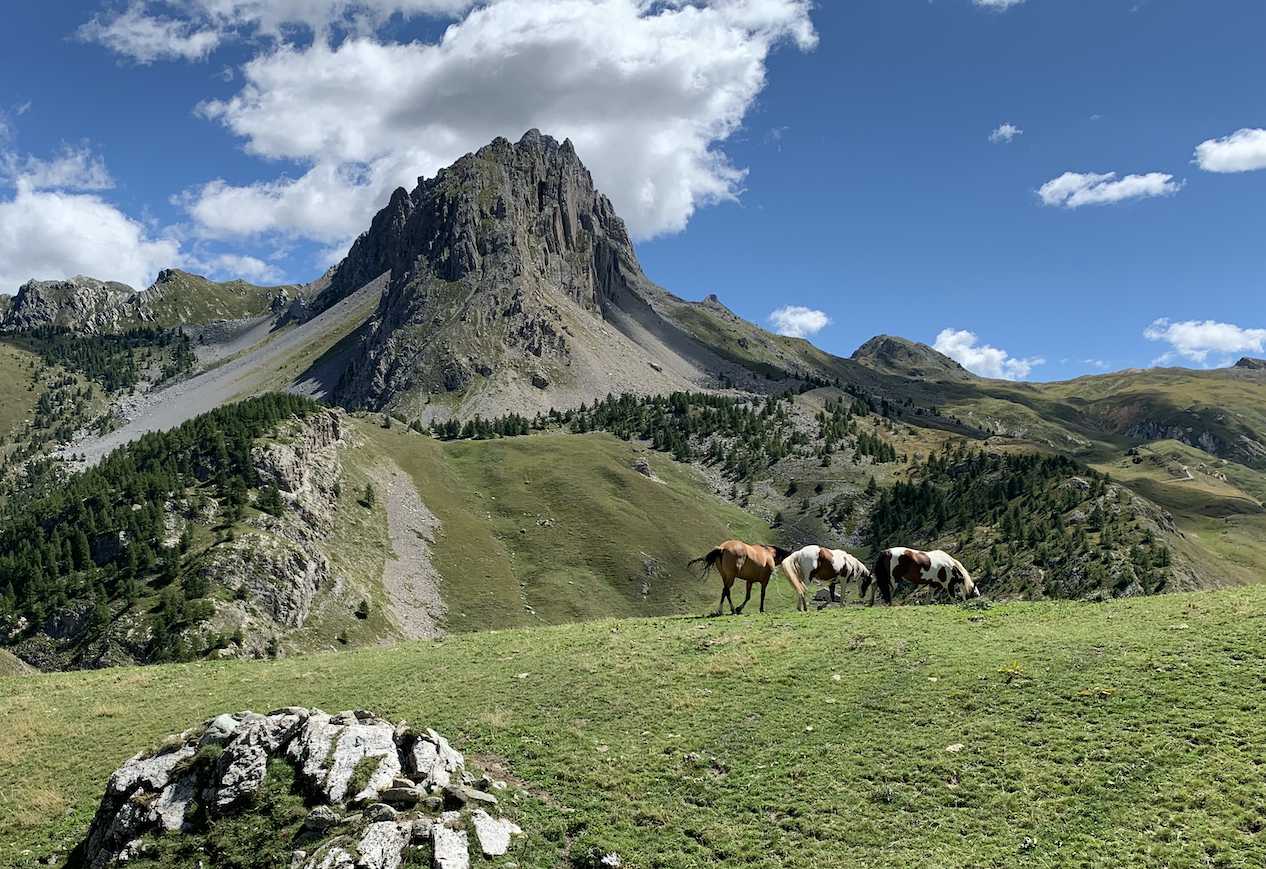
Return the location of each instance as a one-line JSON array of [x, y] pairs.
[[51, 230]]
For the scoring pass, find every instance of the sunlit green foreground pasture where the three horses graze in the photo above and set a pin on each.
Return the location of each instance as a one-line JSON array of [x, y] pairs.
[[1124, 735]]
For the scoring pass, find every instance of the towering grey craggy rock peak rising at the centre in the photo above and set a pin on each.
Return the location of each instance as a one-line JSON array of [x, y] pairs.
[[510, 274]]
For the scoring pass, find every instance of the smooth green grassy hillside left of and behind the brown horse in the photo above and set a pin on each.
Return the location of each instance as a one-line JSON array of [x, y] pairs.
[[606, 524]]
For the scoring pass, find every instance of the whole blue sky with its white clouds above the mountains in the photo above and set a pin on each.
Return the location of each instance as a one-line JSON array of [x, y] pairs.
[[1040, 188]]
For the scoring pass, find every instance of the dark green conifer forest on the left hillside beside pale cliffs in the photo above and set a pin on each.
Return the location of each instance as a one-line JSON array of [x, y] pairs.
[[102, 535]]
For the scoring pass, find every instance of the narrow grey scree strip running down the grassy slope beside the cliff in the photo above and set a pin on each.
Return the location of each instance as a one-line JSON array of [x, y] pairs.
[[412, 582]]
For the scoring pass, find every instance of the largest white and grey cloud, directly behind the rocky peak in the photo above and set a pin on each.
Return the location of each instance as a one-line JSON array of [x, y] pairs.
[[646, 91]]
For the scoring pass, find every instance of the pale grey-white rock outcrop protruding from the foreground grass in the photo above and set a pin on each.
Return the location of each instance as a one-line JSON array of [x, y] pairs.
[[213, 772]]
